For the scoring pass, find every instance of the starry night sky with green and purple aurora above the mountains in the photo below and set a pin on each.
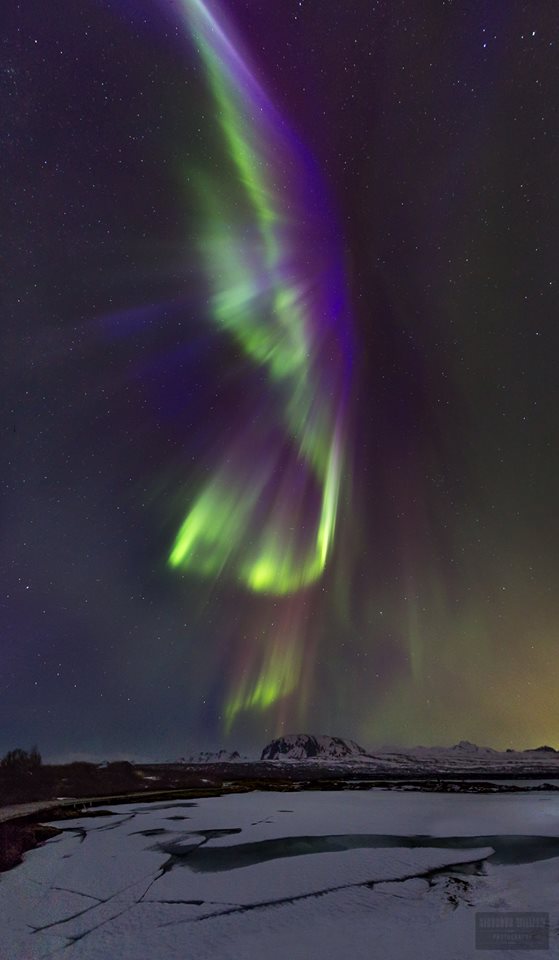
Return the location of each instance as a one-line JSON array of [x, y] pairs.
[[280, 448]]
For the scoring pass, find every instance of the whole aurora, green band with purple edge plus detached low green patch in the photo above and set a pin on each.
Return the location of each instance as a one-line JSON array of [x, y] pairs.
[[267, 516]]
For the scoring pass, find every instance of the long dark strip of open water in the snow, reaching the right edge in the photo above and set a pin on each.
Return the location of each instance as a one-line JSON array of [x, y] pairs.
[[207, 859]]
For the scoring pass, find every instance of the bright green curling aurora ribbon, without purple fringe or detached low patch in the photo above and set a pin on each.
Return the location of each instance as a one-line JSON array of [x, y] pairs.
[[214, 531]]
